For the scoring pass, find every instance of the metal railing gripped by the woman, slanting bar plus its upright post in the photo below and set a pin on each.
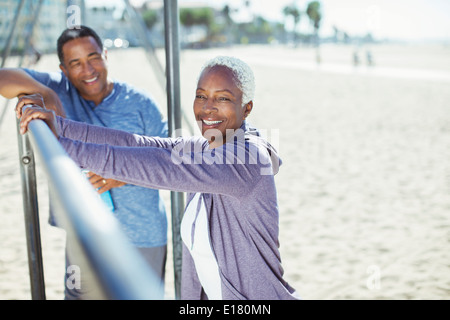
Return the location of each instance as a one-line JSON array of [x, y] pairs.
[[119, 268]]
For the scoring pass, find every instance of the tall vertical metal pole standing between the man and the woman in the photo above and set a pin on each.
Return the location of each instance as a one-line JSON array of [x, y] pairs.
[[171, 18]]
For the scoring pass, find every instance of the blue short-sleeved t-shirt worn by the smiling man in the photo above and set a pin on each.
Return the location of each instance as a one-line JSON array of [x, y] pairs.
[[140, 210]]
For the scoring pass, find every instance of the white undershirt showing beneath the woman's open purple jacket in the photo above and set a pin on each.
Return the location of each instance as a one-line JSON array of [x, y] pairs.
[[200, 249]]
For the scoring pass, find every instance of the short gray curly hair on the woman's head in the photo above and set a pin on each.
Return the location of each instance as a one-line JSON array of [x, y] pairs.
[[243, 75]]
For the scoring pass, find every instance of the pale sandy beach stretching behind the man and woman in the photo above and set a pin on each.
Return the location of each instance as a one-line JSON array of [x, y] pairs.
[[364, 189]]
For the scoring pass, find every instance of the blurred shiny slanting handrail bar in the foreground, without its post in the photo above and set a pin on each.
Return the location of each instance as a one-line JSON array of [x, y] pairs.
[[119, 268]]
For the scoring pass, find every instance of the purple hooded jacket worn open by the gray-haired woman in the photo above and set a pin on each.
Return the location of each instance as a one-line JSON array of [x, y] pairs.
[[237, 184]]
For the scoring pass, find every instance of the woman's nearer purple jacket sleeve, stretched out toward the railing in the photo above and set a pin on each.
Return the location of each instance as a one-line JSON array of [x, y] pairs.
[[186, 167]]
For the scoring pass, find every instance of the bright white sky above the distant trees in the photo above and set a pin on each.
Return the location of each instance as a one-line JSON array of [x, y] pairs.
[[393, 19]]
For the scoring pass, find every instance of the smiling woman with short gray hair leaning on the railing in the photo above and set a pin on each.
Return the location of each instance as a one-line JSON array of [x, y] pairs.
[[230, 225]]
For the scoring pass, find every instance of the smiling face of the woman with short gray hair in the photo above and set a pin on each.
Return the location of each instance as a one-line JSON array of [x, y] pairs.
[[218, 105]]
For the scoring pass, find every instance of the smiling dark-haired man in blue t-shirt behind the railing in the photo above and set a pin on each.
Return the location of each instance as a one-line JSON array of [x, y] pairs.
[[85, 93]]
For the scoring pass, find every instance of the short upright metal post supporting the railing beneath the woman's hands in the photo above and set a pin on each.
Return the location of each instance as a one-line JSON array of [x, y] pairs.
[[31, 211]]
